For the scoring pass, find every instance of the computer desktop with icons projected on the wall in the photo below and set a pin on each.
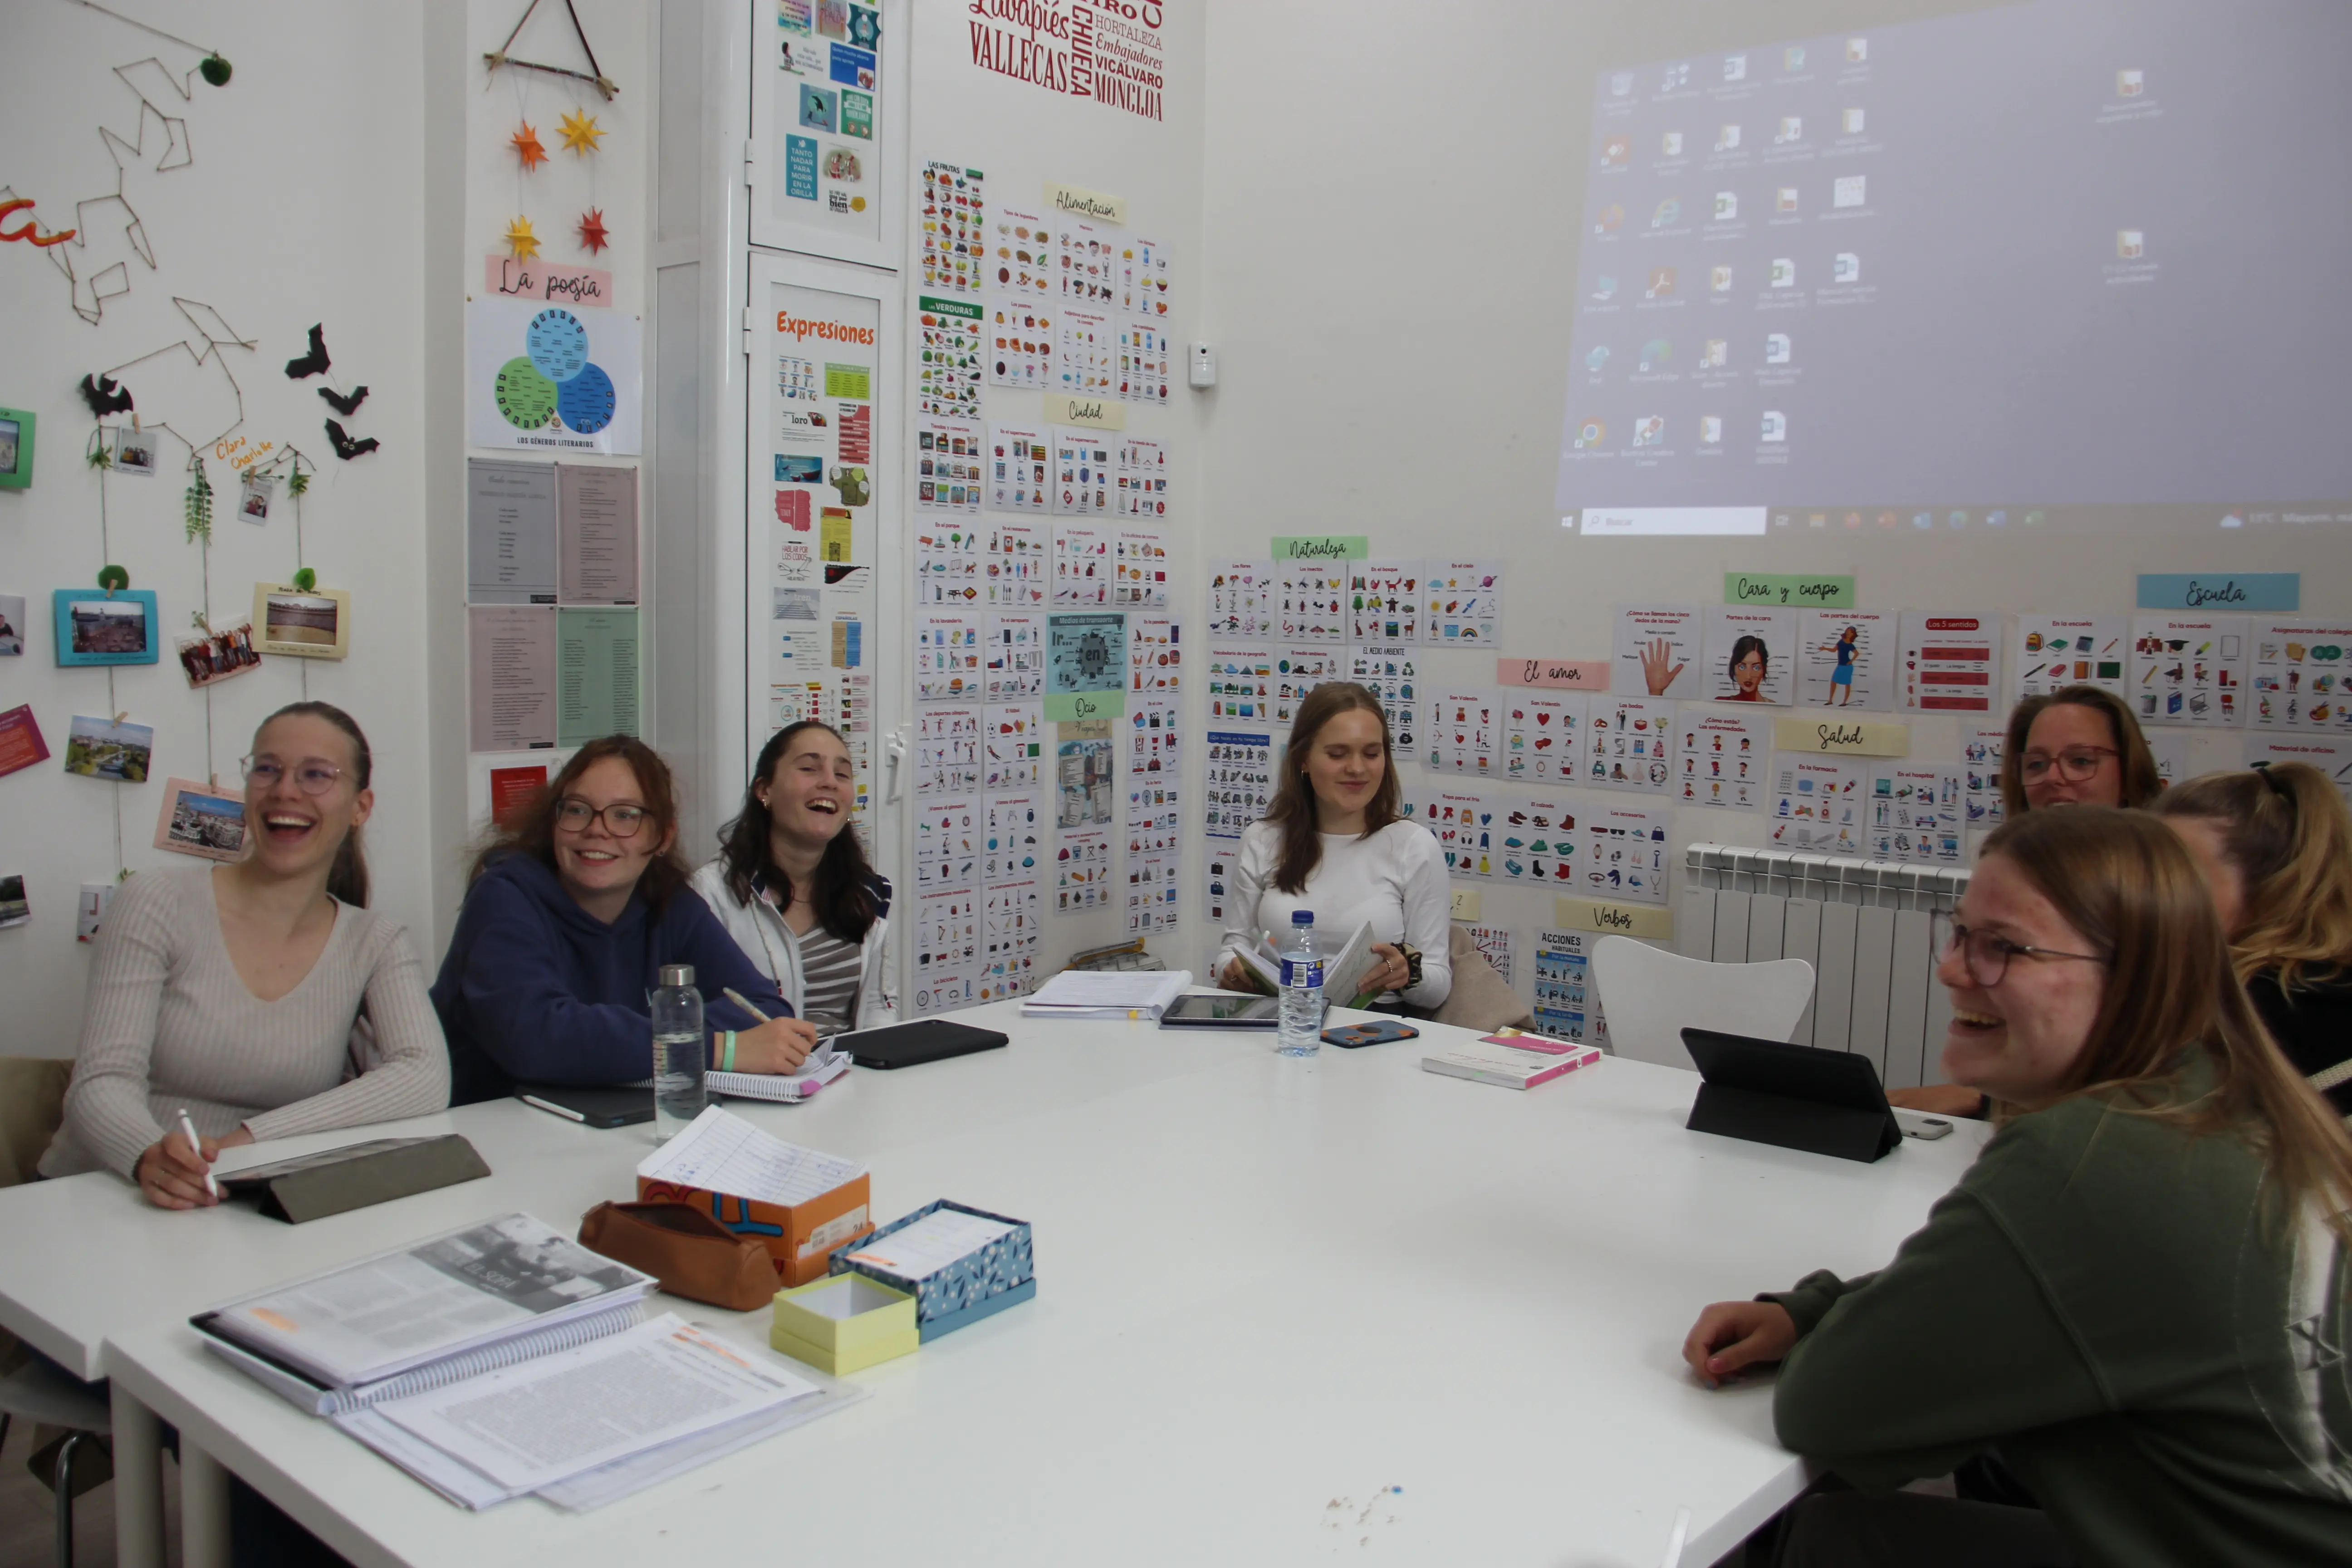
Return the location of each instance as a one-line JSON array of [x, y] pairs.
[[2066, 264]]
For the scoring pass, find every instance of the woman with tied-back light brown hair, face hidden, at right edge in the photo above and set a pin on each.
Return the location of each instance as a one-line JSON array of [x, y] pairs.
[[2276, 847]]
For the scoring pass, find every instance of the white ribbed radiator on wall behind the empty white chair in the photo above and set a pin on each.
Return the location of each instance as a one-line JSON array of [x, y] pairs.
[[1862, 925]]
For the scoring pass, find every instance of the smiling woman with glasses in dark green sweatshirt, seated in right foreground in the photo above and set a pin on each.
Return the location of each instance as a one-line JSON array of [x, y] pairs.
[[2139, 1296]]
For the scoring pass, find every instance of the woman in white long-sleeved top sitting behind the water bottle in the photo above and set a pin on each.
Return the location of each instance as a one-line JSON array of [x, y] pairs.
[[1332, 843]]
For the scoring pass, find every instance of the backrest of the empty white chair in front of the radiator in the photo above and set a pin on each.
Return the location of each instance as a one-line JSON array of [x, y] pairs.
[[1650, 998]]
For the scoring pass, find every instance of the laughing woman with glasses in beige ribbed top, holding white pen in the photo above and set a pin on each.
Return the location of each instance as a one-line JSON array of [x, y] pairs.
[[260, 998]]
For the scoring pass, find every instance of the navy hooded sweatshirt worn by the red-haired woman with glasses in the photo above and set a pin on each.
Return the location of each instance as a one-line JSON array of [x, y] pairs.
[[540, 991]]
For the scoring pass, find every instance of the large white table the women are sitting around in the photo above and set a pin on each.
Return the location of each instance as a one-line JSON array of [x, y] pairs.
[[1267, 1289]]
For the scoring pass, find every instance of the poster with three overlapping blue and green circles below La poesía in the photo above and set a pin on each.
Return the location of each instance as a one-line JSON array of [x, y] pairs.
[[547, 377]]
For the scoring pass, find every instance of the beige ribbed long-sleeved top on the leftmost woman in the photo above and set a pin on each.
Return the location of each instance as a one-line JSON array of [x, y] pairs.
[[168, 1024]]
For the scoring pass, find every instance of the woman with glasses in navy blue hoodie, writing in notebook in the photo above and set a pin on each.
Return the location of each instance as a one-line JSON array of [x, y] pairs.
[[570, 918]]
